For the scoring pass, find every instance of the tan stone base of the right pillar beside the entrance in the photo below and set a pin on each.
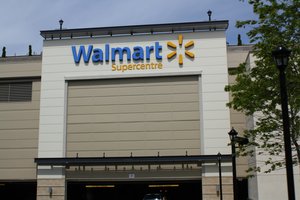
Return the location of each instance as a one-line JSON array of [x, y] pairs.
[[209, 185]]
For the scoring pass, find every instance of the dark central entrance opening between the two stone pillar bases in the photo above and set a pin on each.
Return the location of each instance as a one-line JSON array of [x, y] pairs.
[[134, 190]]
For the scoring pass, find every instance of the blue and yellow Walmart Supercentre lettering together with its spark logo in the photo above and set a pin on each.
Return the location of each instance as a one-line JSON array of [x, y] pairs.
[[136, 53]]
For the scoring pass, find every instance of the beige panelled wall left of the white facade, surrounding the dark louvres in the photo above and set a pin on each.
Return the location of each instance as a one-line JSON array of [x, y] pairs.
[[19, 121]]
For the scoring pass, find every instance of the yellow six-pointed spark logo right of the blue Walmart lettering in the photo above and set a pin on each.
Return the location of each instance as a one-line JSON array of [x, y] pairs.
[[186, 46]]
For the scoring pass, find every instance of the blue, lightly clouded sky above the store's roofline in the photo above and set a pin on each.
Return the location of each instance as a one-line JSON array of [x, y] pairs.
[[22, 21]]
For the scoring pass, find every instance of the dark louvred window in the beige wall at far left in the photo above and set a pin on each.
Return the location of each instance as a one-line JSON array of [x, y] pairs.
[[15, 91]]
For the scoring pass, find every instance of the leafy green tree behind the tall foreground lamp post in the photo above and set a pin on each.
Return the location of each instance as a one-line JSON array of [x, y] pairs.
[[256, 91]]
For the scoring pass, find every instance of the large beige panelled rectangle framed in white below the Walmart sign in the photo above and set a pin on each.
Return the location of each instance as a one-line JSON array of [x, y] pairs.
[[133, 116]]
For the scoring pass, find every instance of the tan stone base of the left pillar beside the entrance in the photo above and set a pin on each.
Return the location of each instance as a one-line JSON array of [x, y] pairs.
[[58, 189]]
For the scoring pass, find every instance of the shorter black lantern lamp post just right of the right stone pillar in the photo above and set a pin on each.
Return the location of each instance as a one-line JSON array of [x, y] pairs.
[[241, 141]]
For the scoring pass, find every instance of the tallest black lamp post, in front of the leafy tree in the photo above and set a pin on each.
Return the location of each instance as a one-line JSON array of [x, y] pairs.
[[281, 57]]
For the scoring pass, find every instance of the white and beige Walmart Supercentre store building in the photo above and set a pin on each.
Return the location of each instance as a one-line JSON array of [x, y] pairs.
[[119, 112]]
